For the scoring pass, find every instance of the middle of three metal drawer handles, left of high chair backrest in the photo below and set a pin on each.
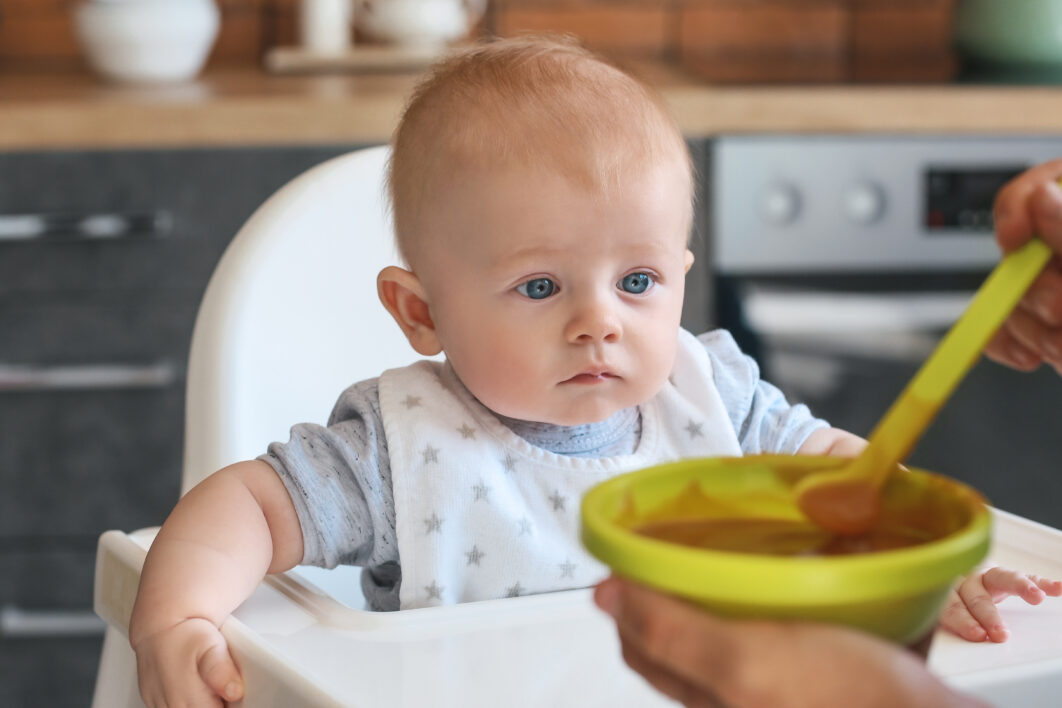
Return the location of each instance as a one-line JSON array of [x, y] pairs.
[[25, 377]]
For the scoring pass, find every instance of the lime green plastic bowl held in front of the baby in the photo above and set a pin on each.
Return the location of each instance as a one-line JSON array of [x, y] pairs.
[[894, 594]]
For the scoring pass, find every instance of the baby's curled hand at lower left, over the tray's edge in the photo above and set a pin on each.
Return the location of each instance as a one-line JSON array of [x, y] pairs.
[[187, 665]]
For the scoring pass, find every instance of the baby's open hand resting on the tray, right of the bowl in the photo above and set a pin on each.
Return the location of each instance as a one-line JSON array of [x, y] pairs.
[[971, 611]]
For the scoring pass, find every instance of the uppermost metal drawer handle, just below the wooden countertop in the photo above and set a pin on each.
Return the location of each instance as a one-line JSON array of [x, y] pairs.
[[88, 227]]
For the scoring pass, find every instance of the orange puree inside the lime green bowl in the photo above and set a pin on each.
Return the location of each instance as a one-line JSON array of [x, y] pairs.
[[778, 537]]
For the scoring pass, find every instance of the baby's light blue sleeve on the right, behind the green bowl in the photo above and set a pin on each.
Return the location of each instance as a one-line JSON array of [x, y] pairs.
[[764, 421]]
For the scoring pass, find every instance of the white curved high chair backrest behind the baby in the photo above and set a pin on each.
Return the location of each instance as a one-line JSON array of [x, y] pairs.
[[292, 318]]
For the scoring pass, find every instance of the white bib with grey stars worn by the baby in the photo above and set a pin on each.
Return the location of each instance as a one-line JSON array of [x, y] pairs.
[[484, 514]]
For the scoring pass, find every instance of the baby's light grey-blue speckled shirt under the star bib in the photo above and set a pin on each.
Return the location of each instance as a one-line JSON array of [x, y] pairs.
[[339, 476]]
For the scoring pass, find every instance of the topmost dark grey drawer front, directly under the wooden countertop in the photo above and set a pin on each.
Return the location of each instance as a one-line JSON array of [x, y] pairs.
[[139, 220]]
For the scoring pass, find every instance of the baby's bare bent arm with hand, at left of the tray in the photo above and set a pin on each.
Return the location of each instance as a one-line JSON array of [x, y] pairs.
[[215, 548]]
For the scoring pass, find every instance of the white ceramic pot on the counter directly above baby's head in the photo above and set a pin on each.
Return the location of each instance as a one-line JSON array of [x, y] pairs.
[[418, 23]]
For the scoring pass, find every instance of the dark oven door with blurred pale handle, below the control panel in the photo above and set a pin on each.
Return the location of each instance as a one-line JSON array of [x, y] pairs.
[[848, 354]]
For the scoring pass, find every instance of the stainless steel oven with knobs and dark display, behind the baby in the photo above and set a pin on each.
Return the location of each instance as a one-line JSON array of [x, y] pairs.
[[840, 262]]
